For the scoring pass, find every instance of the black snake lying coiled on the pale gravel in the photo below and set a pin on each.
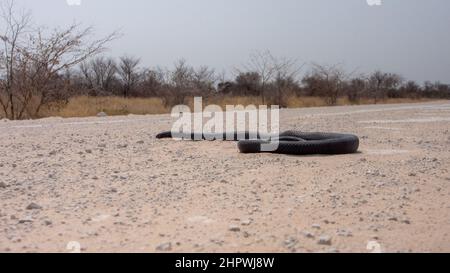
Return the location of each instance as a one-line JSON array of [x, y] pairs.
[[289, 142]]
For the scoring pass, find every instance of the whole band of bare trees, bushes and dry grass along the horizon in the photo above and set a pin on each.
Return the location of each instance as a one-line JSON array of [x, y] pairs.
[[63, 72]]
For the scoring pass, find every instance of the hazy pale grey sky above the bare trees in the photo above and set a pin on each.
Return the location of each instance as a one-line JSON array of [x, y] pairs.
[[410, 37]]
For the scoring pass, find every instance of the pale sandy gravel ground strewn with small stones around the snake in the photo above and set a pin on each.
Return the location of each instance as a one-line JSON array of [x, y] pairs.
[[109, 185]]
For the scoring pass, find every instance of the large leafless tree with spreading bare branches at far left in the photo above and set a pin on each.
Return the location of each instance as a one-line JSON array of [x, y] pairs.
[[34, 59]]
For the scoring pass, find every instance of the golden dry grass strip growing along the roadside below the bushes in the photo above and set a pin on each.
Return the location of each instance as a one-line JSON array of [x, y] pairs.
[[84, 106]]
